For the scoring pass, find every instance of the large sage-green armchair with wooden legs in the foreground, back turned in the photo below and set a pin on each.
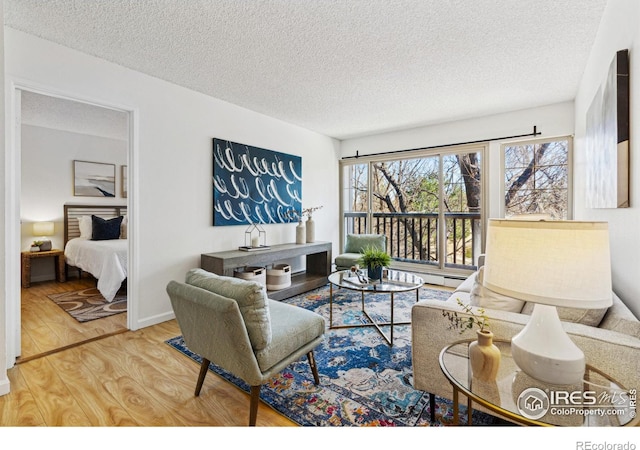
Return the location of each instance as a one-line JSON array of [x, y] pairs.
[[232, 323]]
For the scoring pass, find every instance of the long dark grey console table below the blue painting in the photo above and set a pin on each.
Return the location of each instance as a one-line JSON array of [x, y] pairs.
[[318, 267]]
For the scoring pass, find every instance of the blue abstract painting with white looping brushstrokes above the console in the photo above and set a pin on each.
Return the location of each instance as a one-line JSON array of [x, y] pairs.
[[253, 185]]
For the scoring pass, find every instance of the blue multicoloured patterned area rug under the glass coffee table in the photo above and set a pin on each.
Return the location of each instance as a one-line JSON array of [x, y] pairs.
[[363, 381]]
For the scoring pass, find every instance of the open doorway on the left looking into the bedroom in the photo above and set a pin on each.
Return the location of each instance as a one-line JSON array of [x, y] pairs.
[[54, 135]]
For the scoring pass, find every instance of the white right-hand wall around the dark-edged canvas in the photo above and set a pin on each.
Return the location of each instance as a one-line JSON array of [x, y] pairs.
[[619, 29]]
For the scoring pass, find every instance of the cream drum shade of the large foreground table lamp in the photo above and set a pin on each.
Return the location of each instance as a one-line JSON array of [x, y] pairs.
[[557, 263]]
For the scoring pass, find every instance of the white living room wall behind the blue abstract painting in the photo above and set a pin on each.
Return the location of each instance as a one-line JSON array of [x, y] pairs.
[[172, 162]]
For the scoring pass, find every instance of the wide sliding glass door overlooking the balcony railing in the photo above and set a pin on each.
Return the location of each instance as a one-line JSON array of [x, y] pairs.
[[427, 203]]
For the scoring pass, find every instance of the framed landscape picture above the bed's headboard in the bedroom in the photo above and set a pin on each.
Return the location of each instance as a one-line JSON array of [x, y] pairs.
[[92, 179]]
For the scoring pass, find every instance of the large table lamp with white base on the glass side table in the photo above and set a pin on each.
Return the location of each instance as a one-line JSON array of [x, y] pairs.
[[551, 264]]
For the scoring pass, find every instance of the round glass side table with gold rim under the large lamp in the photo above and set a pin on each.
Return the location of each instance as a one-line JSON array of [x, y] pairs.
[[597, 401]]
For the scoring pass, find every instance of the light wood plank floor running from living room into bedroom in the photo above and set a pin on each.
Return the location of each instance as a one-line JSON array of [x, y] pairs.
[[125, 379]]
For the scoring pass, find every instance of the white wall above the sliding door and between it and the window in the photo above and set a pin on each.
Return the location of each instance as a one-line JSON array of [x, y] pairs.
[[551, 121]]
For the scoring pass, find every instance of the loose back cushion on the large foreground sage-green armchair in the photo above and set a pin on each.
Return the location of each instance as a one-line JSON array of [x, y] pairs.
[[251, 298]]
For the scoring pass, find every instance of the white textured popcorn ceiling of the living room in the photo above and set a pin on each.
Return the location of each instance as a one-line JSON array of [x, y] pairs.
[[343, 68]]
